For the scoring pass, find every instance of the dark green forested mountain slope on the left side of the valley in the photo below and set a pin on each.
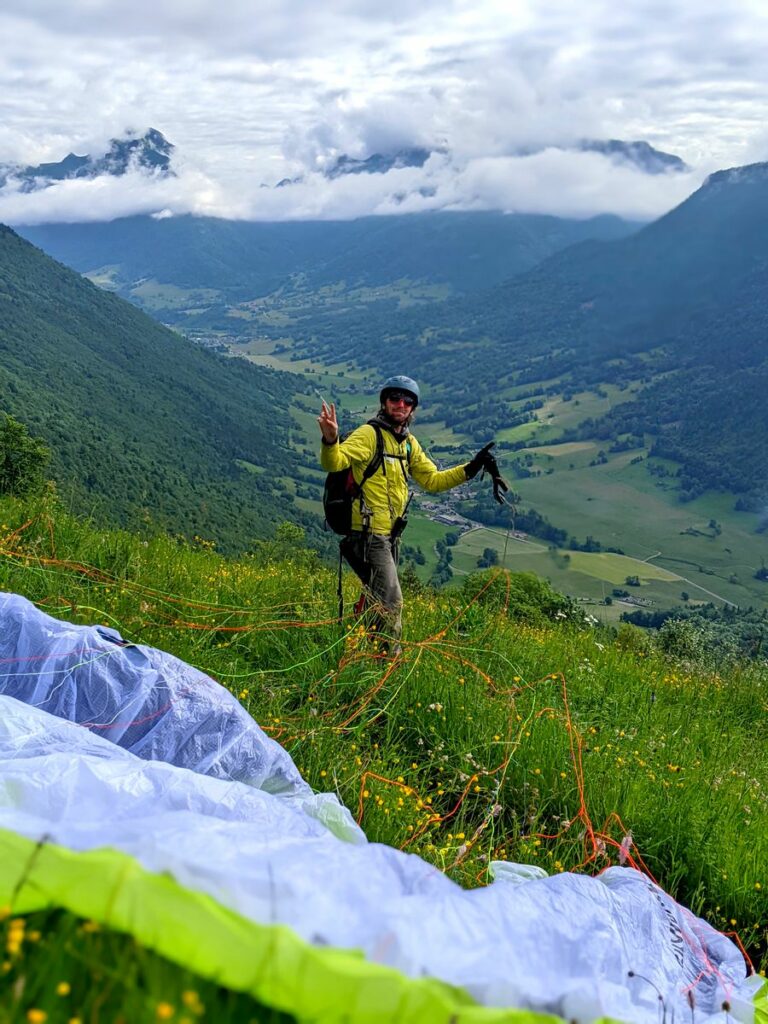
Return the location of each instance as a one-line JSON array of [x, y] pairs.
[[143, 425]]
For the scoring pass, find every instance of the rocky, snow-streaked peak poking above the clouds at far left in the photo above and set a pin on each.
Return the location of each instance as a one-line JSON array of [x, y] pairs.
[[151, 152]]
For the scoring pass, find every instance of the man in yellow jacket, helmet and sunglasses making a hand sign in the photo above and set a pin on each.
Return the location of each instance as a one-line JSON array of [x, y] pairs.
[[372, 548]]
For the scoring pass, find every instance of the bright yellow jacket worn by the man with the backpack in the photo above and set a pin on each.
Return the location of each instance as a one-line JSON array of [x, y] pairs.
[[387, 492]]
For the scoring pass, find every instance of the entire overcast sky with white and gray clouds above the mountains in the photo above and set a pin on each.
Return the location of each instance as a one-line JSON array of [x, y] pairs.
[[252, 92]]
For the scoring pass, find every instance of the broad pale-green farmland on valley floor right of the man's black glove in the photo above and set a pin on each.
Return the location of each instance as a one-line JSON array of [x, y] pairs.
[[669, 546]]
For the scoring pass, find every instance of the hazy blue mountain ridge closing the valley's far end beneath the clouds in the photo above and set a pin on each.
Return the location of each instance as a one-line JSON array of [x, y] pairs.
[[464, 251]]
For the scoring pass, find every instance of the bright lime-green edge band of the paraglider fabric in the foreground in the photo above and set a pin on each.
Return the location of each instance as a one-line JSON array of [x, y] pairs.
[[270, 962]]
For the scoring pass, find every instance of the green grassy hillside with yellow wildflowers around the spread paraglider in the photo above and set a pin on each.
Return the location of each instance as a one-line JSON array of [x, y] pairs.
[[510, 730]]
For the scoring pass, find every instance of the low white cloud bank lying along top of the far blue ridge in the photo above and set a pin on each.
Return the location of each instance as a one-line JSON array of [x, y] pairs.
[[556, 182]]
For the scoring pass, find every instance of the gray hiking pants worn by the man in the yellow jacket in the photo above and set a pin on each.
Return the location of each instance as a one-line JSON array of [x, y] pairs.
[[374, 559]]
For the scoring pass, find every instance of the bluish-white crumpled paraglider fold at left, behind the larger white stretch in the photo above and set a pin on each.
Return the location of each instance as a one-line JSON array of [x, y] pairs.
[[141, 699]]
